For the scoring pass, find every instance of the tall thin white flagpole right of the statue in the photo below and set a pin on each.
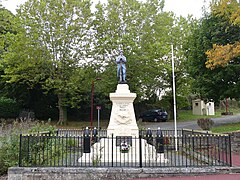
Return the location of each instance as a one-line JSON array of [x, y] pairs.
[[174, 102]]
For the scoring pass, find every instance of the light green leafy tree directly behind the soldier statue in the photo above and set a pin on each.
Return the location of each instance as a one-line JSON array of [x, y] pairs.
[[145, 32]]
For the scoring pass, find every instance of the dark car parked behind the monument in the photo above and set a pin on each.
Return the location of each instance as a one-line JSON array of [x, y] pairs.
[[155, 115]]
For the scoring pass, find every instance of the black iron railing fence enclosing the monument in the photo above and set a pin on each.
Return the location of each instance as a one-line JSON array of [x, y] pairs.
[[78, 149]]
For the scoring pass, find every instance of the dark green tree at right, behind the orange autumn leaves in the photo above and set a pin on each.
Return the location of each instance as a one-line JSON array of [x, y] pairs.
[[220, 82]]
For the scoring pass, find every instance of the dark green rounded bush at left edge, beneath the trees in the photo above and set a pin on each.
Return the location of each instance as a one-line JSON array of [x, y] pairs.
[[8, 108]]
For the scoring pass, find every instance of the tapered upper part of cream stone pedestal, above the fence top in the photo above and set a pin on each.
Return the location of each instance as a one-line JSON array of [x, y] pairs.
[[122, 120]]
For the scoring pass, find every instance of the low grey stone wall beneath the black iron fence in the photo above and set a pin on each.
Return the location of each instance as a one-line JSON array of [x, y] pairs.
[[61, 173]]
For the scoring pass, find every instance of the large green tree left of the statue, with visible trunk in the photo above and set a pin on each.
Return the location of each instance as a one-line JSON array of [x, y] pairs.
[[51, 47]]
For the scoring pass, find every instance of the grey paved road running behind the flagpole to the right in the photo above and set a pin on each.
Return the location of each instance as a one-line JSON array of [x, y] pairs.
[[191, 124]]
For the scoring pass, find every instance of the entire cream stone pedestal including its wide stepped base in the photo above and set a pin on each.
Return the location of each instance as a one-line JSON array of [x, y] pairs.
[[122, 127]]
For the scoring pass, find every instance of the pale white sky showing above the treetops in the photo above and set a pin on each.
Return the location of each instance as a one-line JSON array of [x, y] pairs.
[[179, 7]]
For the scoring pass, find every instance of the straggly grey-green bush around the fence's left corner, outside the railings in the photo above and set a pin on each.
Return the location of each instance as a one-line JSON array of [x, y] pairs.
[[9, 141]]
